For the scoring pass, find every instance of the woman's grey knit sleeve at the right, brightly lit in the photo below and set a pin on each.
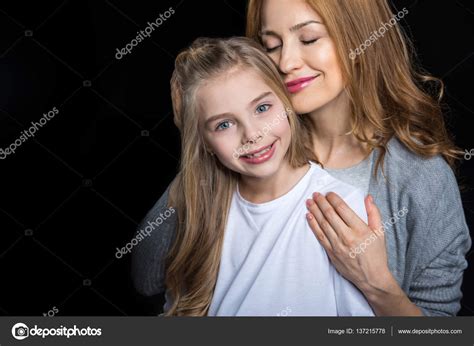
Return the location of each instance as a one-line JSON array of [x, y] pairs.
[[440, 239]]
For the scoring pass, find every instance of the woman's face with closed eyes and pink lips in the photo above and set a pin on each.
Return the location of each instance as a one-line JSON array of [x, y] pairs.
[[298, 43]]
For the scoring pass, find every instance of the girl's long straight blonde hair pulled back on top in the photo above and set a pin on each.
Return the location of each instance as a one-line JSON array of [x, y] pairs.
[[203, 188]]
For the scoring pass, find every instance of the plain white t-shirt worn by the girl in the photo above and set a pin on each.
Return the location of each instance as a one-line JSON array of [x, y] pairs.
[[273, 265]]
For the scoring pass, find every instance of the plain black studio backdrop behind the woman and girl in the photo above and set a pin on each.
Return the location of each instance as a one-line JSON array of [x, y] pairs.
[[76, 190]]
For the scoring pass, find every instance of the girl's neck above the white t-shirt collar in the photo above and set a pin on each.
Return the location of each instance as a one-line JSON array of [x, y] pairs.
[[261, 190]]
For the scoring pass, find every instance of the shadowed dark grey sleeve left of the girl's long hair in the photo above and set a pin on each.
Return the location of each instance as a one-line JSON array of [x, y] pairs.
[[158, 230]]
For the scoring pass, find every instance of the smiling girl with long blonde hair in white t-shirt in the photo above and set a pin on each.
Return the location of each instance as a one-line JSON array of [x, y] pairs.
[[243, 246]]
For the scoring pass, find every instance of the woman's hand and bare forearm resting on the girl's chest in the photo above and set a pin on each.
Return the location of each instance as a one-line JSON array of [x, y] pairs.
[[357, 250]]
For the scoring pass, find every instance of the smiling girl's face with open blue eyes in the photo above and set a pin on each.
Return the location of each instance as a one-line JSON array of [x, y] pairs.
[[244, 123]]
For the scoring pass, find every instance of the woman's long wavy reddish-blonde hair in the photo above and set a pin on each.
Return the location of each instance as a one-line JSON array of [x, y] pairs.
[[387, 93]]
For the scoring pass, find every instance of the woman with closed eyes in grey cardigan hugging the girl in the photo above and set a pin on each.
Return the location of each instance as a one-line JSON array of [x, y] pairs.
[[374, 127]]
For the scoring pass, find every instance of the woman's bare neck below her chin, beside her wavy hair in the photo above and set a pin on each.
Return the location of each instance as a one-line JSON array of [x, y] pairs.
[[333, 145]]
